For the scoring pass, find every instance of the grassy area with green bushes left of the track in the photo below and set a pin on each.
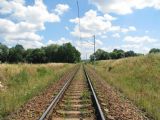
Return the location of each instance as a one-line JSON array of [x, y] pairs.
[[21, 82]]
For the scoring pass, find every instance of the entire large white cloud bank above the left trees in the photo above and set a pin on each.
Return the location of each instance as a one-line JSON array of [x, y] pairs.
[[21, 21]]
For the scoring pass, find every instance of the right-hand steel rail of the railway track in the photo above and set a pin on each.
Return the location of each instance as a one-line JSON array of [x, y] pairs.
[[100, 112]]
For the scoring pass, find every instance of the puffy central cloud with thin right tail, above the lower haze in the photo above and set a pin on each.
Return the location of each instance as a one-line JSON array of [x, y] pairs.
[[92, 23]]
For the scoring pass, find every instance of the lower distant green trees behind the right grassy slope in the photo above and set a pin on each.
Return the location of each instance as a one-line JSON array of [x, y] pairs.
[[117, 54]]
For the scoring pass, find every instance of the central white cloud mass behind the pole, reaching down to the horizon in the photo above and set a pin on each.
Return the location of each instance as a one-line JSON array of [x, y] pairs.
[[93, 23]]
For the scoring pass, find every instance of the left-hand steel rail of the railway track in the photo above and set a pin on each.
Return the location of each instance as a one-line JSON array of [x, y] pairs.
[[58, 97]]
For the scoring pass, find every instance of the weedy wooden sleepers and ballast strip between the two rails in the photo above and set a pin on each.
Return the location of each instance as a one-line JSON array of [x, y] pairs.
[[76, 103]]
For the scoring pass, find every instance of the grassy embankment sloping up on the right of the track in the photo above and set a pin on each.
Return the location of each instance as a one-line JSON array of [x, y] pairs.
[[138, 78]]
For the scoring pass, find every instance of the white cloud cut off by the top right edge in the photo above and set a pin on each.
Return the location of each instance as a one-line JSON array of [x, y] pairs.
[[124, 6]]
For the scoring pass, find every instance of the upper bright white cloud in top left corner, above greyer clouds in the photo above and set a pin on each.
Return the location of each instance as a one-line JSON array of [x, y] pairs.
[[37, 13]]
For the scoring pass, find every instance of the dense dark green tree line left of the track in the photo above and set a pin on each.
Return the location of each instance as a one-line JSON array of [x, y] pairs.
[[52, 53]]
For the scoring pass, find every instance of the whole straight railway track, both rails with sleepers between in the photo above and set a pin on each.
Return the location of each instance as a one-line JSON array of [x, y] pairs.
[[75, 101]]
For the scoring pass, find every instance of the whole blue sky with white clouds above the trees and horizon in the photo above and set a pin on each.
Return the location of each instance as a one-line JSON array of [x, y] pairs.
[[128, 25]]
